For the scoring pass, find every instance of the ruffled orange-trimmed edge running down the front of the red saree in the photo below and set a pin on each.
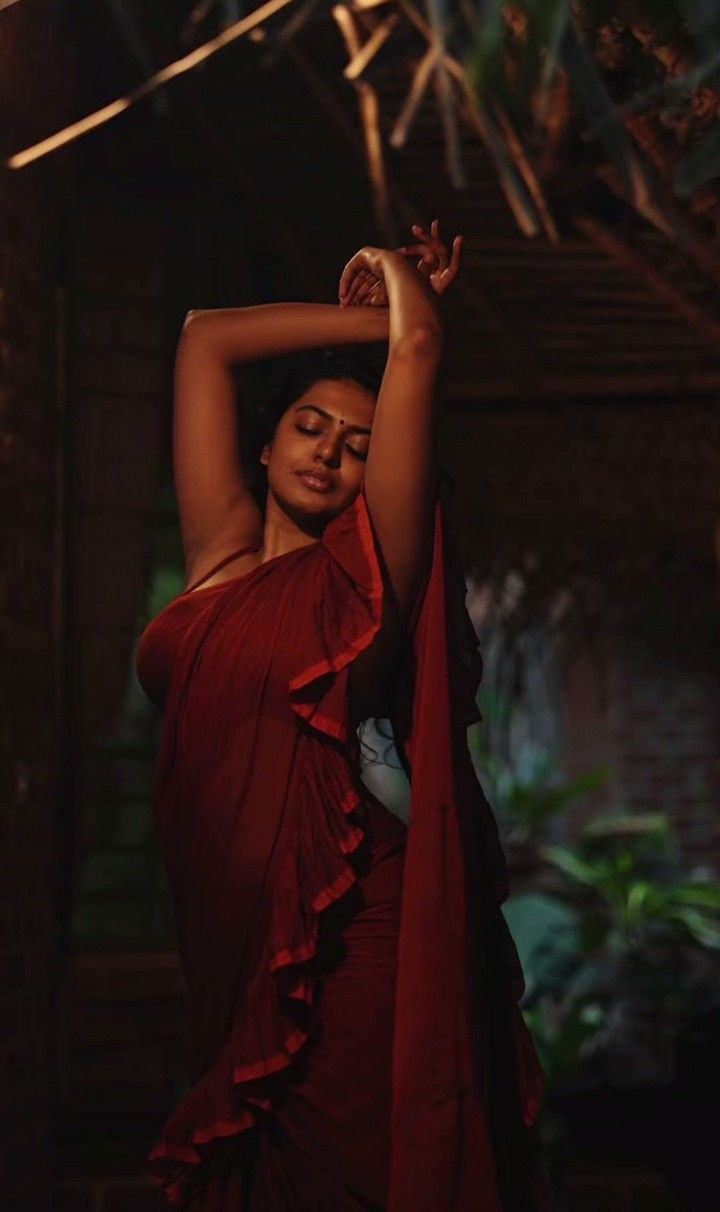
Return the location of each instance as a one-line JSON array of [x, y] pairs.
[[319, 699]]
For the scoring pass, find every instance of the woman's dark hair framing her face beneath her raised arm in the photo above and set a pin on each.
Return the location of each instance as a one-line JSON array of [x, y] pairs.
[[294, 374]]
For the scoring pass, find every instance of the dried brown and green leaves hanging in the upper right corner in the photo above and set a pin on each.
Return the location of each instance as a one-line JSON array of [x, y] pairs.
[[635, 84]]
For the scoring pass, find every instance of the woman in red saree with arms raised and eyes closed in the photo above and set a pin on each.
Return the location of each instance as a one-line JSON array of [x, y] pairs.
[[353, 990]]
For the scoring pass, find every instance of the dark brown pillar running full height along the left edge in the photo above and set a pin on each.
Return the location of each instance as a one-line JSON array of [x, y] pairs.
[[35, 92]]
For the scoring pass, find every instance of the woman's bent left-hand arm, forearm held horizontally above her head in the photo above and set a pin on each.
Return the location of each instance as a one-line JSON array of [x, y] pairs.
[[218, 511]]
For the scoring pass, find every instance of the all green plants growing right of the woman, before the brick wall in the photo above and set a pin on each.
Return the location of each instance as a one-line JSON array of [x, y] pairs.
[[618, 942]]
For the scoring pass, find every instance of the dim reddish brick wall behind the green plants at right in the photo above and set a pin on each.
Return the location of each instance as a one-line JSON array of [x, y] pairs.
[[653, 713]]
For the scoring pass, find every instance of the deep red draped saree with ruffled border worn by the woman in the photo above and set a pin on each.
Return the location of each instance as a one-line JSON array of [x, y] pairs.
[[353, 988]]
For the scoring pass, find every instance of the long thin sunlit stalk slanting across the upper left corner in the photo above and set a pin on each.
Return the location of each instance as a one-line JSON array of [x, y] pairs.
[[169, 73]]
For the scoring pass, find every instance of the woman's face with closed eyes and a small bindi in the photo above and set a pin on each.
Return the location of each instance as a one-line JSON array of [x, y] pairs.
[[317, 459]]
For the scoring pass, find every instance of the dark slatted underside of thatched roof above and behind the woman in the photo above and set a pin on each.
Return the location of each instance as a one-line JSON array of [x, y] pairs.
[[582, 374]]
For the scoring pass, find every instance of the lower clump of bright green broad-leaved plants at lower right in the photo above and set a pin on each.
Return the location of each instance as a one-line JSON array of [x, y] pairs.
[[610, 981]]
